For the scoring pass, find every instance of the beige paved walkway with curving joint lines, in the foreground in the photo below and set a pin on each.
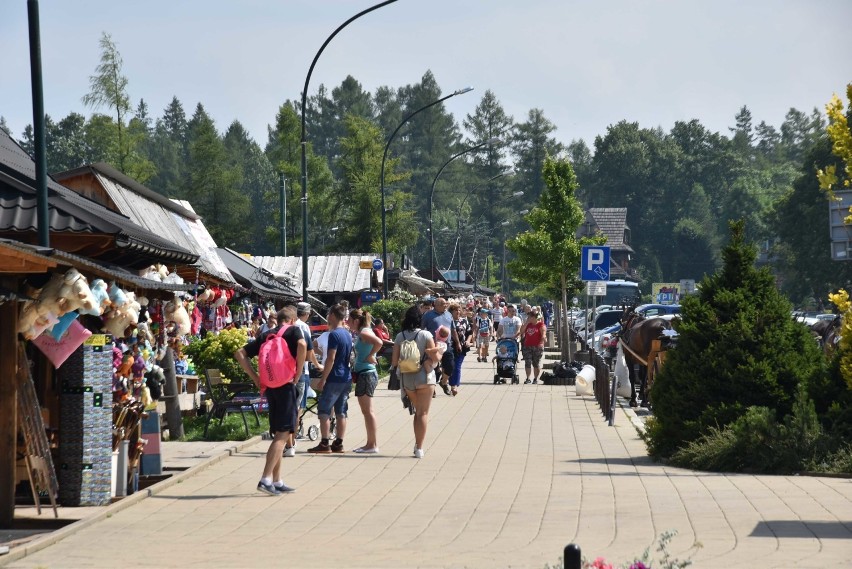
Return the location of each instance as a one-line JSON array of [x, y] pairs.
[[511, 475]]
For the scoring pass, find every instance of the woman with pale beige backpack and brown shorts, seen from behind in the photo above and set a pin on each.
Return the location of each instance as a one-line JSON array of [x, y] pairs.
[[409, 346]]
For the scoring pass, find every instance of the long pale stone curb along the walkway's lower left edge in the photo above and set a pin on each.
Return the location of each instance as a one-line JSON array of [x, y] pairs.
[[60, 534]]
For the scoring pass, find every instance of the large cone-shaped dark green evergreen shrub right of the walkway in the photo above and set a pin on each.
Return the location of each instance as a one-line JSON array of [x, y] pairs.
[[737, 348]]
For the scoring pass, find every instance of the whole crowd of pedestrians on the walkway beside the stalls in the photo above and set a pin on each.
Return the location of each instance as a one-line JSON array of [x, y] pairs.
[[435, 337]]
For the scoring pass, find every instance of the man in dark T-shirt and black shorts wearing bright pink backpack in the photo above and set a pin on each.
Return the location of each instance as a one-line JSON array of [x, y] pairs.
[[283, 406]]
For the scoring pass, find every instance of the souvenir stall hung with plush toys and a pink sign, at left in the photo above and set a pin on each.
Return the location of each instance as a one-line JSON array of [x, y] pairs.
[[107, 345]]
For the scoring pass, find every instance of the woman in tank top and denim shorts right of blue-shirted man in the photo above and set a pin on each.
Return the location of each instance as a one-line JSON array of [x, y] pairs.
[[366, 346]]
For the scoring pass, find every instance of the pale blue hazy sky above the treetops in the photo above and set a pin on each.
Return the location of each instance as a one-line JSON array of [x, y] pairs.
[[586, 64]]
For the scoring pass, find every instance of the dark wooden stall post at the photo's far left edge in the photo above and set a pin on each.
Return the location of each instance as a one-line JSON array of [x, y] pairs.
[[8, 405]]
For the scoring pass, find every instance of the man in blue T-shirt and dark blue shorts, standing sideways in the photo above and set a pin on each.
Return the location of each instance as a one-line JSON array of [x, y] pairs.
[[335, 383]]
